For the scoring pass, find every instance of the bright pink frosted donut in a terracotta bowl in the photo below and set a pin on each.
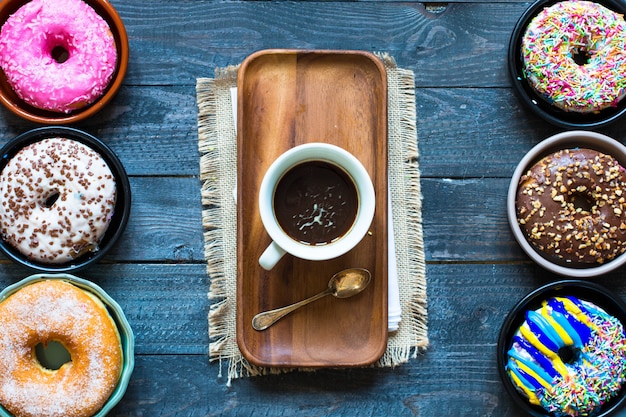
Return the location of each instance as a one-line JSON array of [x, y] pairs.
[[58, 55]]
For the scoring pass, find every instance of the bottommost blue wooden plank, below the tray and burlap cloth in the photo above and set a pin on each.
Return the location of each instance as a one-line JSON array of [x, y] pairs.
[[179, 385]]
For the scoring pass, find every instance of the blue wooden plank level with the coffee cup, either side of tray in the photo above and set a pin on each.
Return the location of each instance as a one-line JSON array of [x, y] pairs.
[[464, 221]]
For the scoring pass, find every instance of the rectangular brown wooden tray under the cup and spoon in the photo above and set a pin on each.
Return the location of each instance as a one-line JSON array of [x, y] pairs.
[[287, 98]]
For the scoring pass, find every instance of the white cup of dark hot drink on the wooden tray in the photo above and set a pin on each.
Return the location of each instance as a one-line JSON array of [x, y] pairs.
[[316, 202]]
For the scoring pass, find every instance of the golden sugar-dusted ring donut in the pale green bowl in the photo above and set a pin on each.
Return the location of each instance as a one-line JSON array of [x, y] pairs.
[[57, 311]]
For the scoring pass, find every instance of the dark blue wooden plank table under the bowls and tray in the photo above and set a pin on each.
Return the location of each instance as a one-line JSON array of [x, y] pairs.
[[472, 132]]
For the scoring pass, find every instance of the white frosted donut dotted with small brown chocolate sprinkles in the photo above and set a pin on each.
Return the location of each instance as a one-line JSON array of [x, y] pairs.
[[58, 197]]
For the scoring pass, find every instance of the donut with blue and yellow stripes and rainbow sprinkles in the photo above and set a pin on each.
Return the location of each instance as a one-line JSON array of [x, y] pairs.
[[569, 357]]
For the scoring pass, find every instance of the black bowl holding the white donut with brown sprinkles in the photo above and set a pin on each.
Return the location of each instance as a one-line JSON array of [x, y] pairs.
[[122, 204]]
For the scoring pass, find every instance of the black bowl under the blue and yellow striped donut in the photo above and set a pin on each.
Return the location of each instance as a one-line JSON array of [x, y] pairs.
[[584, 290]]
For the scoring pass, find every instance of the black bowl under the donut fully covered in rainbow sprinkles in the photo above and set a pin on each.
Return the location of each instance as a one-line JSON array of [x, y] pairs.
[[534, 101]]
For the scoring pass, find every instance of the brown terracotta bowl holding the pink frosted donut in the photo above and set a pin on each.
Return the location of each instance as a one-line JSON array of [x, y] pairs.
[[28, 112]]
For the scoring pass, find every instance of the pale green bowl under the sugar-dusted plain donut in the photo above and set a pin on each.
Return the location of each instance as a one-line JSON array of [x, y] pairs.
[[127, 337]]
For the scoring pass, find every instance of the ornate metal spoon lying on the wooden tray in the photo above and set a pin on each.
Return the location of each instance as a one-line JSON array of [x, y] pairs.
[[343, 284]]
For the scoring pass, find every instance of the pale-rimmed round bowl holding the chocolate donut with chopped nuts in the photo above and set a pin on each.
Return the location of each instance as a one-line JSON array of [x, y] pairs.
[[565, 140]]
